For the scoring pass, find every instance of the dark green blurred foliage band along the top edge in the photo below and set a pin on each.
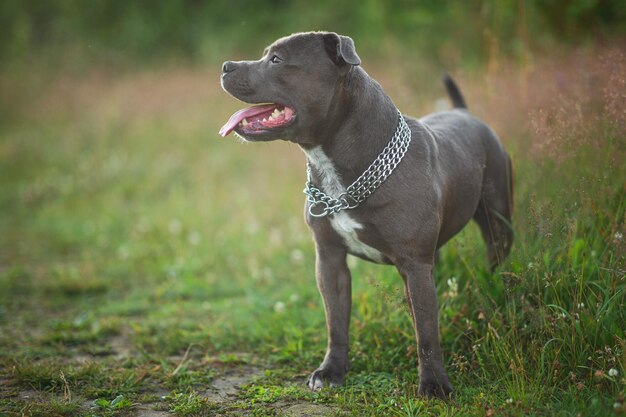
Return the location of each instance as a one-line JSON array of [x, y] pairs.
[[111, 30]]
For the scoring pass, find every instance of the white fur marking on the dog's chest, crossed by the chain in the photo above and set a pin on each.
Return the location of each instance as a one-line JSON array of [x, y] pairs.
[[343, 224]]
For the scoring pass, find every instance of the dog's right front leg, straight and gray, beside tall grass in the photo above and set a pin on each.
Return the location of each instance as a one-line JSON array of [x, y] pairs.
[[422, 298]]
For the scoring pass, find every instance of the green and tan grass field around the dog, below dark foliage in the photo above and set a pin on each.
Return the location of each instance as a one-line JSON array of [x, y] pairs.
[[144, 260]]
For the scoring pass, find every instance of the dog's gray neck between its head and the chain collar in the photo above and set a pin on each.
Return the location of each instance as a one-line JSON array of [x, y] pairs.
[[360, 105]]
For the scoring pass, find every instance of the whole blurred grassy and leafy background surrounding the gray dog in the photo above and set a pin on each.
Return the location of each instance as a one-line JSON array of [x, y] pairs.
[[130, 231]]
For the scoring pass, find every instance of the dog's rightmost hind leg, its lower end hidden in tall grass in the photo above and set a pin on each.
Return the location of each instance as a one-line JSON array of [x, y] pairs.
[[494, 212]]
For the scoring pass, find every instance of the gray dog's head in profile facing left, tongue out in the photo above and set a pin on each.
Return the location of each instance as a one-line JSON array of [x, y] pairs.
[[292, 86]]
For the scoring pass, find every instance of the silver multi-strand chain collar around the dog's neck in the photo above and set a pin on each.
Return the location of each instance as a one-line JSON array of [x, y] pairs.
[[321, 204]]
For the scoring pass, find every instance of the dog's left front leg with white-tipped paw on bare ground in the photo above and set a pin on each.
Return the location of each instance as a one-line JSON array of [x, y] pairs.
[[334, 284]]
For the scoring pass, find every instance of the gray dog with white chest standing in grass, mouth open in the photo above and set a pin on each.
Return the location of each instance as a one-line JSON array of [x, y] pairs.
[[385, 187]]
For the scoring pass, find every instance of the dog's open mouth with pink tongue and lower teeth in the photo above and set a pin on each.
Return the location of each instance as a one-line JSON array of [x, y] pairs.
[[259, 119]]
